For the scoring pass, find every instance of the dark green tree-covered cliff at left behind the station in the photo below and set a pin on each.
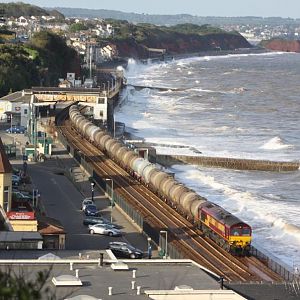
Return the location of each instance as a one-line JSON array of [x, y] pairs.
[[45, 59]]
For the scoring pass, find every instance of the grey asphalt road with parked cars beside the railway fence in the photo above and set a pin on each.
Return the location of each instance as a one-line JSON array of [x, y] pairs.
[[62, 201]]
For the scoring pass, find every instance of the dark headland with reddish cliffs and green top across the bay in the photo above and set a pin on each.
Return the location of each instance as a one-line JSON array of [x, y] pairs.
[[136, 40]]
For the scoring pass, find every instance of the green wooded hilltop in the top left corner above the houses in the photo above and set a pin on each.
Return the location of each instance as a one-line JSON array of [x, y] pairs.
[[23, 9]]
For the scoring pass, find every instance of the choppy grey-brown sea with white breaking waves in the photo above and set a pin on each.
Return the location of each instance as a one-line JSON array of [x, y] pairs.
[[242, 106]]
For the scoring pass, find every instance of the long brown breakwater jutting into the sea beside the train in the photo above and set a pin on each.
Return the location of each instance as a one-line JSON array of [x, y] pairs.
[[229, 163]]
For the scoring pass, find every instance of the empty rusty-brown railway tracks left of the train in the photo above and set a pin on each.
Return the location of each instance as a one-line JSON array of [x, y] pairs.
[[184, 236]]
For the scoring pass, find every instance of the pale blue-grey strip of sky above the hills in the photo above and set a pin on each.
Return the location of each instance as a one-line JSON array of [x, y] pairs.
[[227, 8]]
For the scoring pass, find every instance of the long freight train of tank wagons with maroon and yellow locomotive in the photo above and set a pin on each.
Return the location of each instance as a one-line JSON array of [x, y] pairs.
[[225, 229]]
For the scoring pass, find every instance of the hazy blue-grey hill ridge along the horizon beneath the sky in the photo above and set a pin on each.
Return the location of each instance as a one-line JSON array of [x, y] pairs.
[[172, 19]]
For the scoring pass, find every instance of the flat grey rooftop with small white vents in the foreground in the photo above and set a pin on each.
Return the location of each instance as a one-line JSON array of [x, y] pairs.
[[158, 279]]
